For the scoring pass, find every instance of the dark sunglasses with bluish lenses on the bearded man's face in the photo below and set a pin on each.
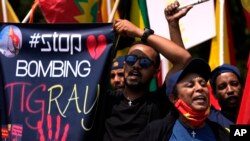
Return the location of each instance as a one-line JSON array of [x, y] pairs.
[[144, 62]]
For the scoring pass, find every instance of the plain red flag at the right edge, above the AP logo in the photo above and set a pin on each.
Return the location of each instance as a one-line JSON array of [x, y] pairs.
[[244, 112]]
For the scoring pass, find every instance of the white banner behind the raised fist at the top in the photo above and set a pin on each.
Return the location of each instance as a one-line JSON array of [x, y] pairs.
[[196, 27]]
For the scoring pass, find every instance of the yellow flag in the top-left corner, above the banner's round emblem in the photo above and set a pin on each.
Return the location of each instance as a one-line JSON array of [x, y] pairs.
[[12, 17]]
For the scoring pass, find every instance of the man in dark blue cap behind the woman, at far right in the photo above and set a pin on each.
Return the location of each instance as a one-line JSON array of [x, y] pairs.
[[227, 86]]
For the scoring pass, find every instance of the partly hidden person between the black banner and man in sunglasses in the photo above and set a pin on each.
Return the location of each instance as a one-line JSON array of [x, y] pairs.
[[117, 73]]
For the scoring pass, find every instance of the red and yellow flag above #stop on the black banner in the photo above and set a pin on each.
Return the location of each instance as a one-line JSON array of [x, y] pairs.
[[69, 11]]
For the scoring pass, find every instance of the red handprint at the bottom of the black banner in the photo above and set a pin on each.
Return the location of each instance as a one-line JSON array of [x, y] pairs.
[[50, 133]]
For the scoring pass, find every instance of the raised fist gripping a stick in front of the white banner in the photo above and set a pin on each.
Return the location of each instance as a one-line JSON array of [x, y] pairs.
[[172, 14]]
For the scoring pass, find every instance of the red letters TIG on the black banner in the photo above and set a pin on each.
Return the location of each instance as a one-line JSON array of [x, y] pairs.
[[23, 93]]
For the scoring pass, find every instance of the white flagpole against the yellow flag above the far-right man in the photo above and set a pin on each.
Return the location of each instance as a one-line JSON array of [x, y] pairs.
[[221, 36]]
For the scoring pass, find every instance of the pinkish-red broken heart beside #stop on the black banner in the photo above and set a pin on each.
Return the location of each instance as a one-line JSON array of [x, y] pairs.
[[96, 47]]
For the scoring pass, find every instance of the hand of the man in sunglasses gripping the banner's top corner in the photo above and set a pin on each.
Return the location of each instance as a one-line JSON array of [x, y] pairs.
[[126, 28]]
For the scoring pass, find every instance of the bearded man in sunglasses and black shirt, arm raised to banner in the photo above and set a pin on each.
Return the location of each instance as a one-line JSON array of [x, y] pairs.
[[137, 106]]
